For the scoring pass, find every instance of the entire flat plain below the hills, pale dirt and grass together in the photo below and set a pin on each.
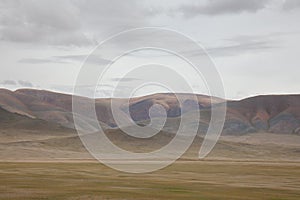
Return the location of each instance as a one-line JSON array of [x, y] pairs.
[[257, 166]]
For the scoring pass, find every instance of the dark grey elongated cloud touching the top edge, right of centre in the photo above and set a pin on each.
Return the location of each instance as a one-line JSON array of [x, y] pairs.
[[219, 7]]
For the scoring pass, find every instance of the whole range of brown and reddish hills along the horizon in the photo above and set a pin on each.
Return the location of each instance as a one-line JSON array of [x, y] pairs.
[[272, 113]]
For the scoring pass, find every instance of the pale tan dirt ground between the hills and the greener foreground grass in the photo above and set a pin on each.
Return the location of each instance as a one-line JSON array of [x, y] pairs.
[[33, 146]]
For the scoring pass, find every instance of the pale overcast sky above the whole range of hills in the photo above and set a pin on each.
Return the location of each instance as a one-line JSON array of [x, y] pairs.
[[254, 45]]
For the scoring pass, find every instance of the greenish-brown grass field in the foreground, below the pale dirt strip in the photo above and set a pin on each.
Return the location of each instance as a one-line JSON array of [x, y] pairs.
[[182, 180]]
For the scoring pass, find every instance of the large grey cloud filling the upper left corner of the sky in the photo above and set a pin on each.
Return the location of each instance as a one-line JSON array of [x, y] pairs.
[[66, 22]]
